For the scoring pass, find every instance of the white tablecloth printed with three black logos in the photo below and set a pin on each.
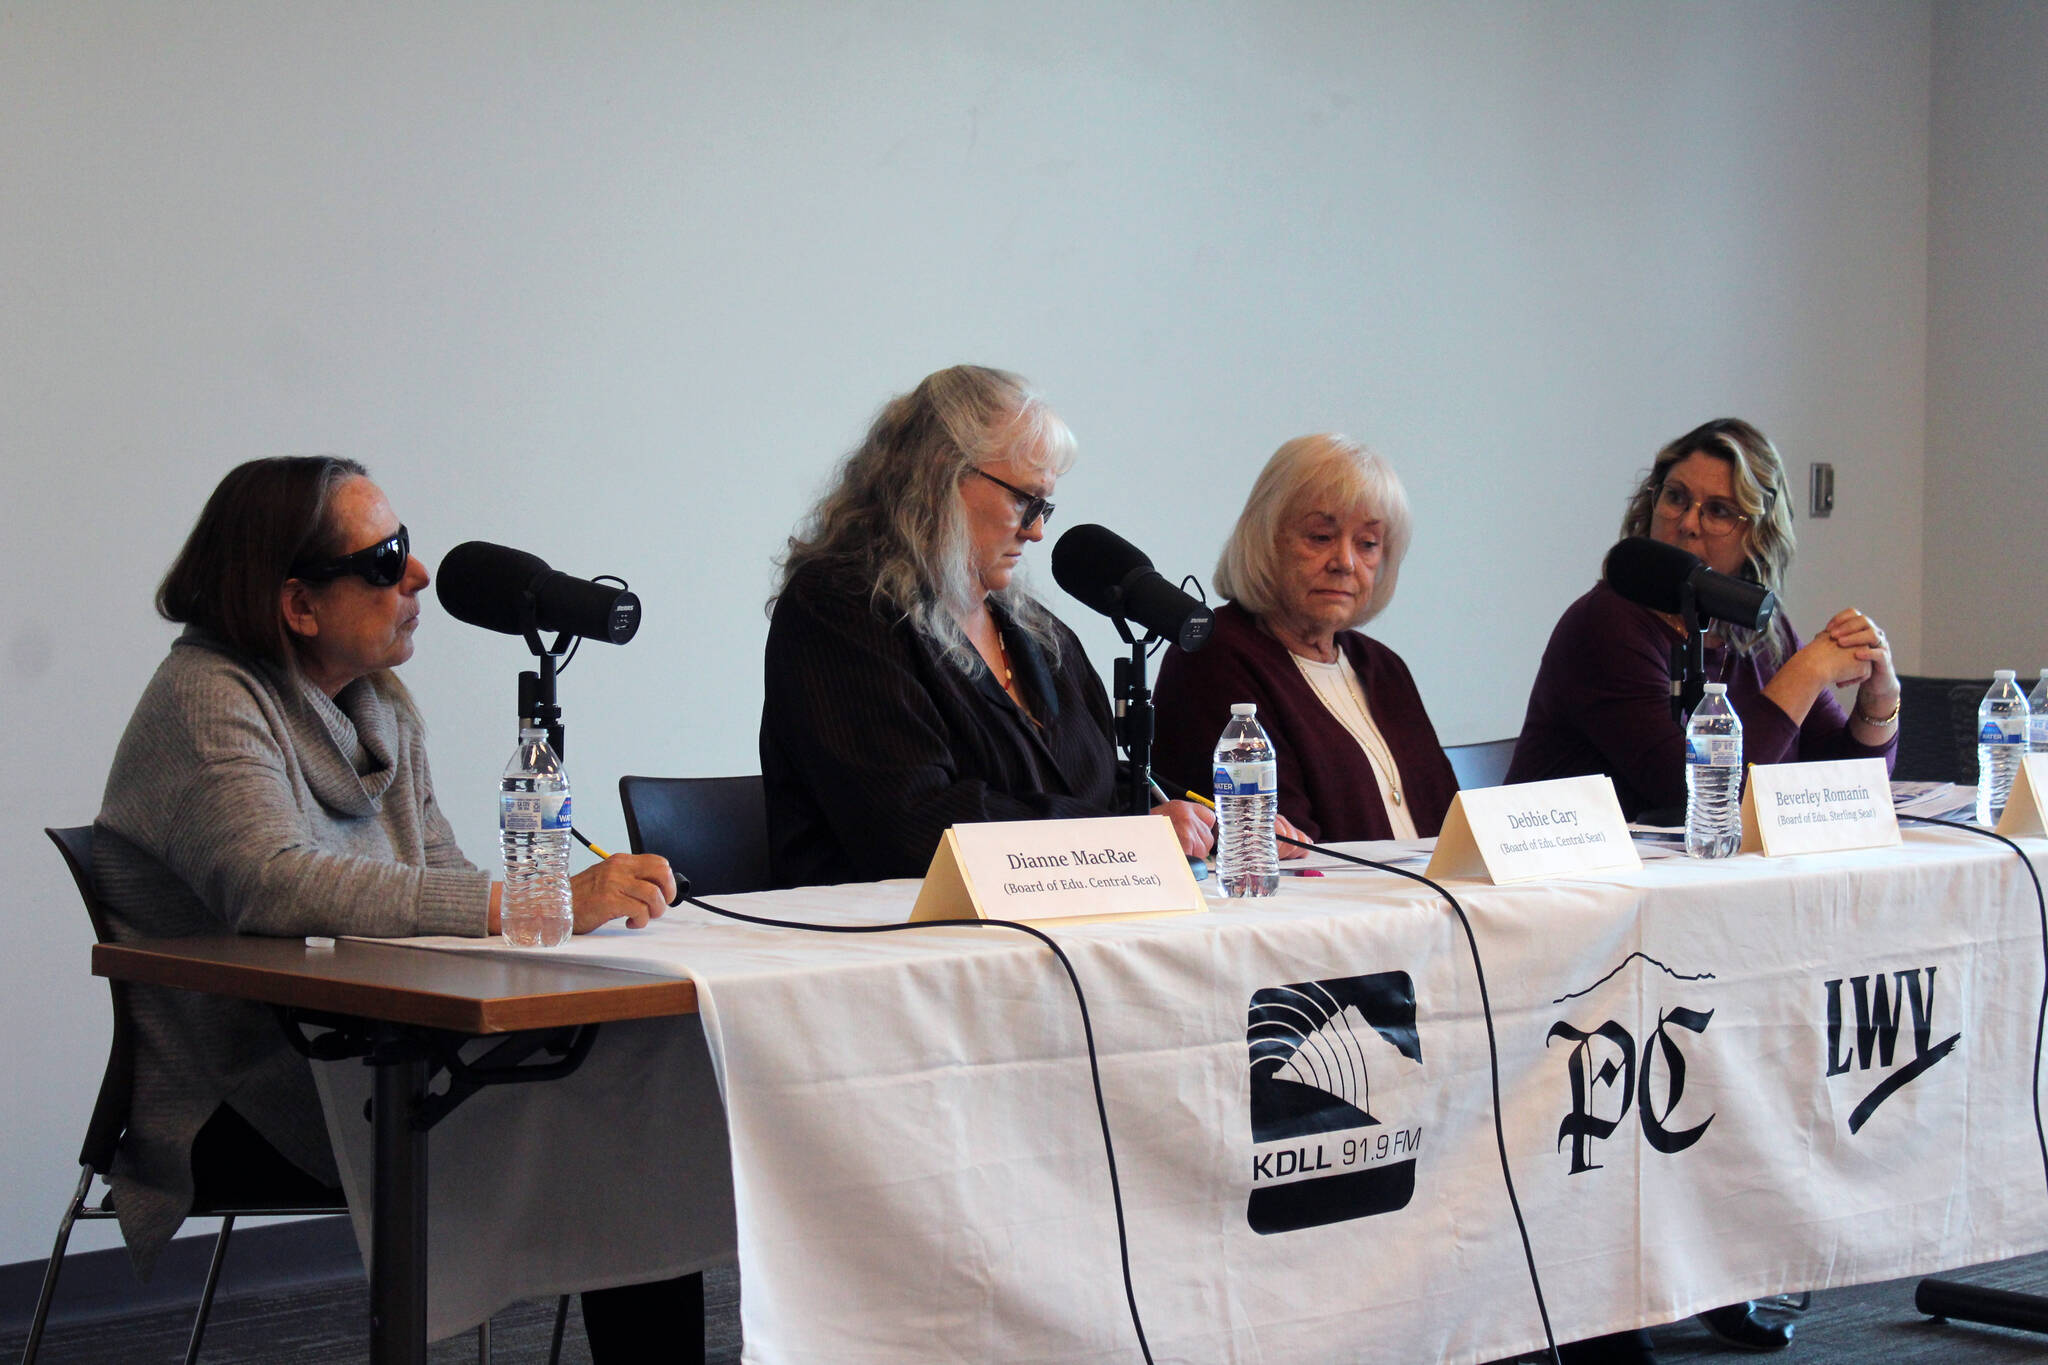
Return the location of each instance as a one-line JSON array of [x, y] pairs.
[[919, 1174]]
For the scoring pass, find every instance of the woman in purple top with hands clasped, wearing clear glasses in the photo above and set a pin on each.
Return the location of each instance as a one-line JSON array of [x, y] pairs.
[[1603, 697]]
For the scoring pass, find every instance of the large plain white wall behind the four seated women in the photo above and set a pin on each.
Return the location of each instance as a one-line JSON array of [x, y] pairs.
[[620, 281]]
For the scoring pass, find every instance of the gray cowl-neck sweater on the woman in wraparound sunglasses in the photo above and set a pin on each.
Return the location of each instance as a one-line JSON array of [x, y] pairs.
[[245, 801]]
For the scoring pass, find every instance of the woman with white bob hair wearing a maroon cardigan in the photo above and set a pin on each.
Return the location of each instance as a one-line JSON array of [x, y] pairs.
[[1316, 556]]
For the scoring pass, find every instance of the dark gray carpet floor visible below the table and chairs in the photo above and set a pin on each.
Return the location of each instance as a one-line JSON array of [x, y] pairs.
[[1869, 1325]]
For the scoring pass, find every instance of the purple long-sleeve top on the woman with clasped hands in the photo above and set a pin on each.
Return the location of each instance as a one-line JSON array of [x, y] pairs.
[[1603, 705]]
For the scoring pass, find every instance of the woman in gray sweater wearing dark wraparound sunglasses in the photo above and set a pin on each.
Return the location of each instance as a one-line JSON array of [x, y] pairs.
[[273, 781]]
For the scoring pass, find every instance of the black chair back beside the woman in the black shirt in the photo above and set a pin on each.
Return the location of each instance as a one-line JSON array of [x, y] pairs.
[[712, 830]]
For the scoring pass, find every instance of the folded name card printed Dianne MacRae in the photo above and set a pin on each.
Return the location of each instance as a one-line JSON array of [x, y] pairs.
[[1068, 871]]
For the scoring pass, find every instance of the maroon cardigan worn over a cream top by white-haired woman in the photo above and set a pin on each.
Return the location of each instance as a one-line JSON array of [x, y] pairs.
[[1326, 783]]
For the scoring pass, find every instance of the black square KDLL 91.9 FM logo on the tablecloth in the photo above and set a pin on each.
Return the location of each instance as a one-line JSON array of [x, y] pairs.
[[1320, 1151]]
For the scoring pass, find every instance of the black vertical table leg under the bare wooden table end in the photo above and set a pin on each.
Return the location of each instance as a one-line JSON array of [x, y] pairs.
[[398, 1206]]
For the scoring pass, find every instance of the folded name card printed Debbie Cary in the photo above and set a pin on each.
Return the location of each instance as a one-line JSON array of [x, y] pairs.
[[1519, 834]]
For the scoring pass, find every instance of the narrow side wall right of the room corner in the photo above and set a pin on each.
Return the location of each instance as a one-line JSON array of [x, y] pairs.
[[1988, 341]]
